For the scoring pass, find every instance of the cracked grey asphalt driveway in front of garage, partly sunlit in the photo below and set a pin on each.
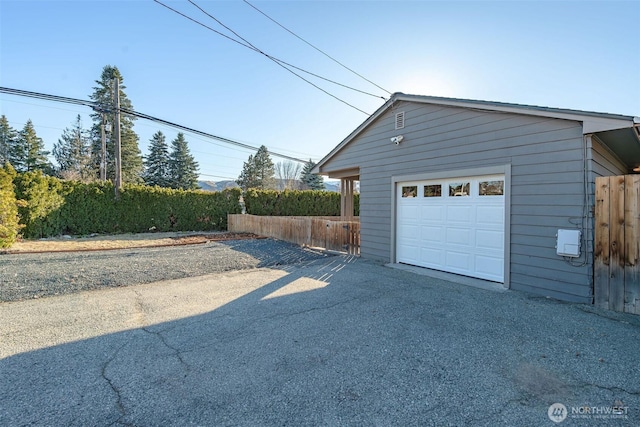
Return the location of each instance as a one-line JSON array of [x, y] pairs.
[[334, 341]]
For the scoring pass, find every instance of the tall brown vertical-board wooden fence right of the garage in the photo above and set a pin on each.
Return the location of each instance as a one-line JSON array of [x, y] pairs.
[[617, 243]]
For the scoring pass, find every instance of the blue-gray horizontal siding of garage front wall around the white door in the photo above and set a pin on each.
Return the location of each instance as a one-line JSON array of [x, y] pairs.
[[546, 181]]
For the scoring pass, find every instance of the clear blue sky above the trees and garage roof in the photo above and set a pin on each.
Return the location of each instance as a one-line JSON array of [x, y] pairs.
[[582, 55]]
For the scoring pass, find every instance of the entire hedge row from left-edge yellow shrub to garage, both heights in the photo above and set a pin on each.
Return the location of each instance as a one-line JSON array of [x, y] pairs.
[[46, 206]]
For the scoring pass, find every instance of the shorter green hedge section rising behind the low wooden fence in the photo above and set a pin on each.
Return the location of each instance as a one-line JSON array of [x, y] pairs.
[[295, 203]]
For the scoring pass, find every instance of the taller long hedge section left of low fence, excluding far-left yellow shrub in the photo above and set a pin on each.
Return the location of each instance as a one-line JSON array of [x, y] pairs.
[[54, 207]]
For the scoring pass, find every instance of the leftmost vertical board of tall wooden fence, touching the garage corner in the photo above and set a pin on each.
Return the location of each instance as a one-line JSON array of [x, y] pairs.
[[601, 244]]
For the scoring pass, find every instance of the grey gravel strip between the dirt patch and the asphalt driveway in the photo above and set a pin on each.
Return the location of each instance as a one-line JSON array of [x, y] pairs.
[[26, 276]]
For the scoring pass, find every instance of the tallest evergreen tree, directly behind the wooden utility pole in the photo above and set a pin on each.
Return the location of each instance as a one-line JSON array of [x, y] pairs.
[[103, 94]]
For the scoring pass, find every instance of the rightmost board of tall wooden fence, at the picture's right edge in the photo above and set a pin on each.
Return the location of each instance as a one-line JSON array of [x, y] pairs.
[[632, 244]]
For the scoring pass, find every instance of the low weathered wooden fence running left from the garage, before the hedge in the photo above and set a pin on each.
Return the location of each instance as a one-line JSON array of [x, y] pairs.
[[323, 232]]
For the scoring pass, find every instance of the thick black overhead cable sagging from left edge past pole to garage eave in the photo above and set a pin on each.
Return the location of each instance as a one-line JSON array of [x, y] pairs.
[[96, 106]]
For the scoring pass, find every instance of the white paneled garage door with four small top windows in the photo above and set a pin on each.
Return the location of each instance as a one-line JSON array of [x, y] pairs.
[[454, 225]]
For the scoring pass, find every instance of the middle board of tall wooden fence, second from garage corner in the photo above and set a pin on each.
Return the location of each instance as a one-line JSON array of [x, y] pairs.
[[617, 256]]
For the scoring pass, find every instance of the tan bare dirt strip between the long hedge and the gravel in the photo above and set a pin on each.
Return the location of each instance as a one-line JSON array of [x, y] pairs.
[[122, 241]]
